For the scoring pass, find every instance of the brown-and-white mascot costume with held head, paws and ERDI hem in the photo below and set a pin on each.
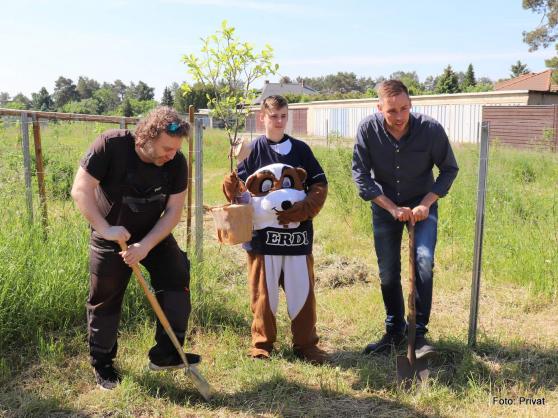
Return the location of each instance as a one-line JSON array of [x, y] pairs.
[[280, 253]]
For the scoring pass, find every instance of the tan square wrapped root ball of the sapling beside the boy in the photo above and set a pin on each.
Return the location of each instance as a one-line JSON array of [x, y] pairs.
[[233, 223]]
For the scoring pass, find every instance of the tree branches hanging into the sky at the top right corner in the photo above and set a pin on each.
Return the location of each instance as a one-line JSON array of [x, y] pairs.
[[547, 31]]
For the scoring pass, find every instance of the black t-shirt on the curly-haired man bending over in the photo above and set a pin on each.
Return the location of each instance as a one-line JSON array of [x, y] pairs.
[[112, 160]]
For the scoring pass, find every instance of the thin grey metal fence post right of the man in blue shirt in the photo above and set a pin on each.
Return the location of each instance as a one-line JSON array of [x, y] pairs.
[[479, 229]]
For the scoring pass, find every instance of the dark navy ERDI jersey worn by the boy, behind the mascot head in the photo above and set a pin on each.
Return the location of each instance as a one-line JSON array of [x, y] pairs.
[[274, 241]]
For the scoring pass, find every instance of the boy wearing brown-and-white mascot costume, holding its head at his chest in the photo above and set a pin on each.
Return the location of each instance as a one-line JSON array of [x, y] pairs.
[[287, 188]]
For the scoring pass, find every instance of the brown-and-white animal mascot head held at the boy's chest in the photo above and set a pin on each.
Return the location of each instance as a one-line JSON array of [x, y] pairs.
[[275, 188]]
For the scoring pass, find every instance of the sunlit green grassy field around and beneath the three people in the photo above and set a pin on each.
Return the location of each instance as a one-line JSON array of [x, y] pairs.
[[44, 368]]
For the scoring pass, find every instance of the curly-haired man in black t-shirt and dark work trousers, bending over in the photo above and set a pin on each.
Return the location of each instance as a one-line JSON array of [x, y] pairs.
[[131, 187]]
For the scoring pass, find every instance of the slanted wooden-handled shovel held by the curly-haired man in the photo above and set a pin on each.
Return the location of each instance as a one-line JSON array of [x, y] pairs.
[[191, 371]]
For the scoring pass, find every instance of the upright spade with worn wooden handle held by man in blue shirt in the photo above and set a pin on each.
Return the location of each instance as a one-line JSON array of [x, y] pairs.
[[408, 367]]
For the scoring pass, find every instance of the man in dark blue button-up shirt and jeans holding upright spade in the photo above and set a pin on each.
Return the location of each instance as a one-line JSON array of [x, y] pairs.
[[394, 153]]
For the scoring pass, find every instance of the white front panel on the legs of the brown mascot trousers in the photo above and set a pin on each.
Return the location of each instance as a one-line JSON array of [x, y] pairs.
[[296, 281]]
